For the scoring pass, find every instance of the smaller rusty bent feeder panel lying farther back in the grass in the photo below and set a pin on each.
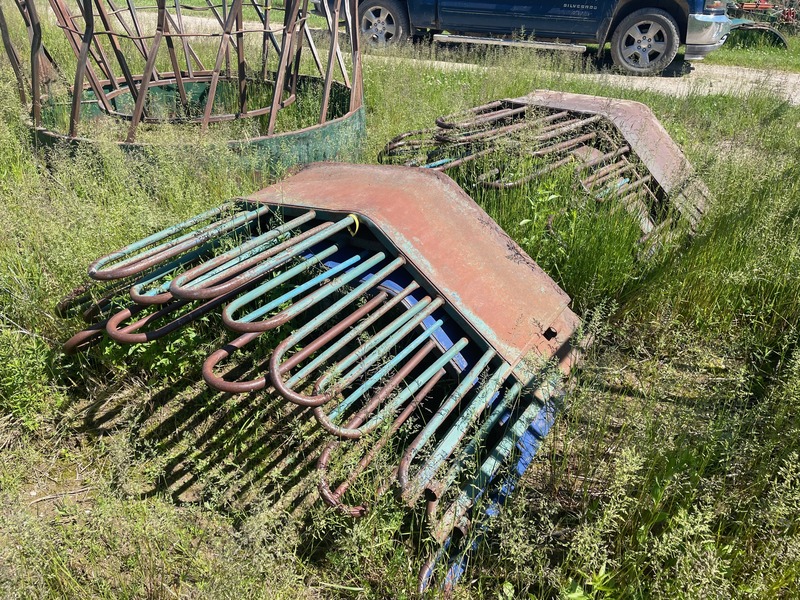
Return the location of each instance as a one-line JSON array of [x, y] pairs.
[[618, 149]]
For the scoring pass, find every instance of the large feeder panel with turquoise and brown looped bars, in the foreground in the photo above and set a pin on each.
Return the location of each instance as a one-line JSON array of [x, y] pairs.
[[425, 341]]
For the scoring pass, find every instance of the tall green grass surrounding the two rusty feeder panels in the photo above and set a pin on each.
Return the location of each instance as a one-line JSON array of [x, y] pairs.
[[672, 472]]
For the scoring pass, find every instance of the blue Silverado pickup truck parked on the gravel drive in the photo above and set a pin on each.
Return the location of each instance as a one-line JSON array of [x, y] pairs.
[[644, 34]]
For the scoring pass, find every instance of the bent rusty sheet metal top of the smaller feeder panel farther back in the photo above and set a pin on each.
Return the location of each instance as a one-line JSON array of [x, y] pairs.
[[648, 139]]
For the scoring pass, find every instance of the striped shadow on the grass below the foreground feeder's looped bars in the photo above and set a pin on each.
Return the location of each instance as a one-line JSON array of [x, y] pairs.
[[195, 444]]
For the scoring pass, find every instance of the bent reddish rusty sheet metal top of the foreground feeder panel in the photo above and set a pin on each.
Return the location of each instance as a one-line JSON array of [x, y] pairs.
[[483, 273]]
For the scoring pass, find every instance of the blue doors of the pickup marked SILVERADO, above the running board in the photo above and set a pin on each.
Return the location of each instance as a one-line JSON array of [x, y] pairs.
[[567, 19]]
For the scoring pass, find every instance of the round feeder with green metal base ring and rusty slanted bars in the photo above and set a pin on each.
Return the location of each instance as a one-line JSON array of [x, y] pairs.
[[257, 75]]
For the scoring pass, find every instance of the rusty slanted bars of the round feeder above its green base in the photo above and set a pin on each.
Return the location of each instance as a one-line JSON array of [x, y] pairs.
[[200, 62]]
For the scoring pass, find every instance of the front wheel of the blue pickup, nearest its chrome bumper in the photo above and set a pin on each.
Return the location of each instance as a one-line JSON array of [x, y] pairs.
[[645, 42]]
